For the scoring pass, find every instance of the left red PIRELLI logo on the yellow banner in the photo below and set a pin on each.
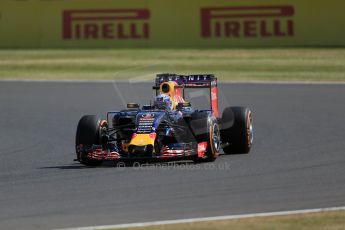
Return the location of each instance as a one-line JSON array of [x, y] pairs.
[[105, 24]]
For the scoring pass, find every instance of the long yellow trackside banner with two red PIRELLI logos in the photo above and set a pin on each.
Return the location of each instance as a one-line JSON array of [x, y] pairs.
[[171, 23]]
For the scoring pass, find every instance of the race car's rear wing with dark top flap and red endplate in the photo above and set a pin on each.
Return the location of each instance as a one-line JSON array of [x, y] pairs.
[[192, 81]]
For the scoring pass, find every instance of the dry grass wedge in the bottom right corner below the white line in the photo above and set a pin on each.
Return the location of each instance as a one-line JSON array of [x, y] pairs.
[[334, 220]]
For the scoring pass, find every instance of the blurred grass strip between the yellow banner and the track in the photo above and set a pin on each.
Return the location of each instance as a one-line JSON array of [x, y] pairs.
[[301, 64]]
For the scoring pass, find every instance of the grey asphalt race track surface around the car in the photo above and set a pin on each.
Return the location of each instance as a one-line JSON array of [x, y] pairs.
[[297, 162]]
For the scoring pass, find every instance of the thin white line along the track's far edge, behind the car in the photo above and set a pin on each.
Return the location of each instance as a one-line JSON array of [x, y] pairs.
[[149, 81]]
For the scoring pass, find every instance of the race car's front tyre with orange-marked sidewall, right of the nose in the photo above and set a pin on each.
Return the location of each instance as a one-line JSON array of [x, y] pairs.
[[205, 128]]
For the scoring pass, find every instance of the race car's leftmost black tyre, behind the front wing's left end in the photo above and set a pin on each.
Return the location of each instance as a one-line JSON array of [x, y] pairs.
[[88, 134]]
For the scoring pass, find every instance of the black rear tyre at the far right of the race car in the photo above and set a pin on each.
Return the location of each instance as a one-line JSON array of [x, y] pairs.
[[237, 130]]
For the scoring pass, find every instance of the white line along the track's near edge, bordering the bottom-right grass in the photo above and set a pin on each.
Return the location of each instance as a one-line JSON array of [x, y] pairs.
[[204, 219]]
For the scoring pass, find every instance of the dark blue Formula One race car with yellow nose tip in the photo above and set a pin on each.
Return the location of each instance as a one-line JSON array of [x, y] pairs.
[[170, 128]]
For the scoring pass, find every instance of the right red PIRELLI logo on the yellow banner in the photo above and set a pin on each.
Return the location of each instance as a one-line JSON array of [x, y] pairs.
[[247, 21]]
